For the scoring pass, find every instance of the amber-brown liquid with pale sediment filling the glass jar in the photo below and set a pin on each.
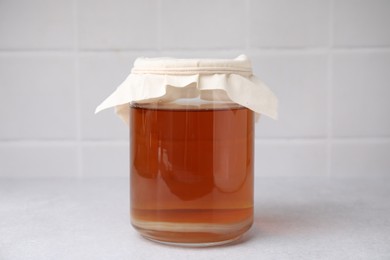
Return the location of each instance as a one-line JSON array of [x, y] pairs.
[[191, 173]]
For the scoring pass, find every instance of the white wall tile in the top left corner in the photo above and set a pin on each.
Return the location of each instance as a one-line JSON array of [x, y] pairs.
[[38, 24]]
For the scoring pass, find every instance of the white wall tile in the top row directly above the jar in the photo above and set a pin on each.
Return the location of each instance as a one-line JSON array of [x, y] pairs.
[[203, 24]]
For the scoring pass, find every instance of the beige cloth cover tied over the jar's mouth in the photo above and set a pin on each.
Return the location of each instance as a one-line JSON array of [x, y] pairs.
[[167, 79]]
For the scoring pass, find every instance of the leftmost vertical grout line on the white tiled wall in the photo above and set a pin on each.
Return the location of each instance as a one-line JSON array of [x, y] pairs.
[[80, 173]]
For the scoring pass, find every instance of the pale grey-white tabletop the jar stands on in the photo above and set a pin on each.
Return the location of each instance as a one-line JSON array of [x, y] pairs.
[[294, 219]]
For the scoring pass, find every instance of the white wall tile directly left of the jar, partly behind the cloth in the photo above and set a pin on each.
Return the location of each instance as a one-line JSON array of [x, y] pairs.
[[108, 70]]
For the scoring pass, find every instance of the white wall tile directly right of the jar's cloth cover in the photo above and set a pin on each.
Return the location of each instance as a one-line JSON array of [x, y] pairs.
[[300, 82]]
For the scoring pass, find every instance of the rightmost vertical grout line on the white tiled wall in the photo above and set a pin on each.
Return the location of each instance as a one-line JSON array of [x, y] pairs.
[[329, 97]]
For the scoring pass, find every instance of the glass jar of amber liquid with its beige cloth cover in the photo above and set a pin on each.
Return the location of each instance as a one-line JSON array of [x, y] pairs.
[[192, 146]]
